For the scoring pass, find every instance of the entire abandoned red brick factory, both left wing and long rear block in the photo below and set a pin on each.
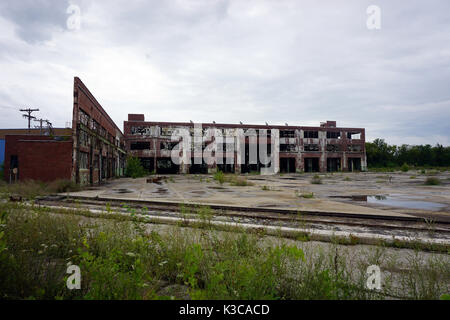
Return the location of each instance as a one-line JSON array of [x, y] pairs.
[[94, 149]]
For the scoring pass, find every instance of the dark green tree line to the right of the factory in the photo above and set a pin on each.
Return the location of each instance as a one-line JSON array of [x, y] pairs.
[[380, 154]]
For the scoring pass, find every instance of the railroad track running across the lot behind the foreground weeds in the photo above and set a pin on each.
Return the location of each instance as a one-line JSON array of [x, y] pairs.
[[321, 227]]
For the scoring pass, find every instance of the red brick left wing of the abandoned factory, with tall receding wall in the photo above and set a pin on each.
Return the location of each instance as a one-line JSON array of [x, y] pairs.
[[90, 152]]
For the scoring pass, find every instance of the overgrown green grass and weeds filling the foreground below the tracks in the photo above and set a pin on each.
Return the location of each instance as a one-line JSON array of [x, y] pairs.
[[124, 260]]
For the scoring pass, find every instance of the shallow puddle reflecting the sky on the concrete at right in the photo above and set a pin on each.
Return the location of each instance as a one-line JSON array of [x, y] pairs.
[[396, 201]]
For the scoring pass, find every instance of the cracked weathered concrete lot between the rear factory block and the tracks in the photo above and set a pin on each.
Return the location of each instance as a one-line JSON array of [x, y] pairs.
[[282, 193]]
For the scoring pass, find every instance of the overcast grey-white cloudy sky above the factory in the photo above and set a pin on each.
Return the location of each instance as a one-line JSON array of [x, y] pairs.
[[300, 62]]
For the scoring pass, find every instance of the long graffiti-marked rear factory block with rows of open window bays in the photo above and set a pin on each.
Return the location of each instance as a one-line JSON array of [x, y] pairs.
[[305, 149]]
